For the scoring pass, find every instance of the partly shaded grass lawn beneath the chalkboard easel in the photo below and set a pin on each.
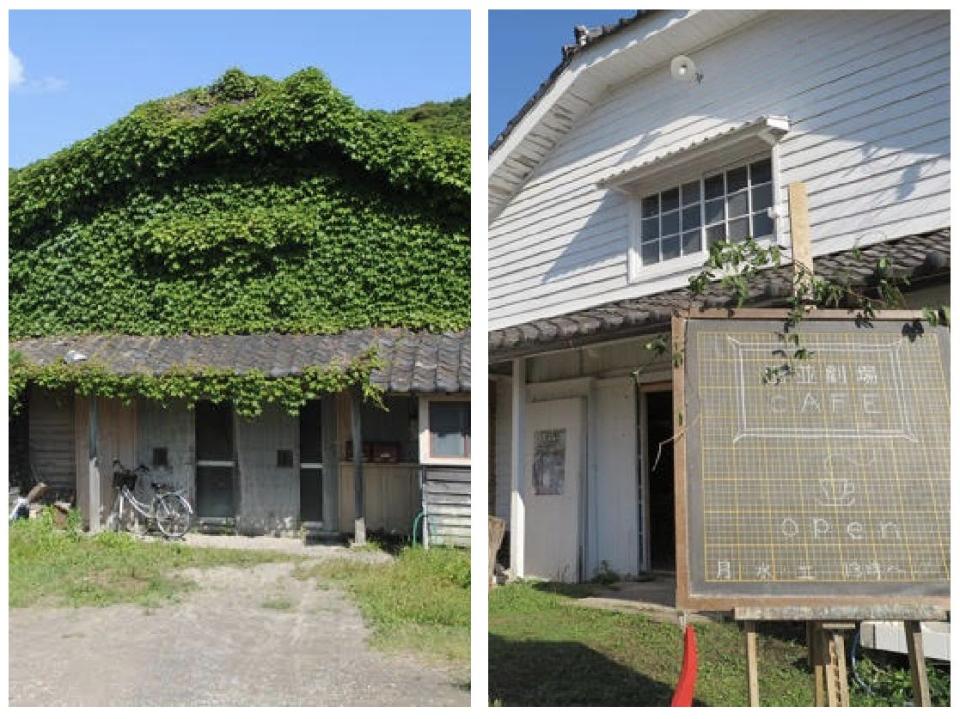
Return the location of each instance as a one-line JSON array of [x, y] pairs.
[[547, 650]]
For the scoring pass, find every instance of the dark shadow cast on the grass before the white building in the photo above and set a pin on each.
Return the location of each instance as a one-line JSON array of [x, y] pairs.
[[538, 673]]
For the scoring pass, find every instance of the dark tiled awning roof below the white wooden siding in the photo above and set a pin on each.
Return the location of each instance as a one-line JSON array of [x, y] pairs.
[[925, 256]]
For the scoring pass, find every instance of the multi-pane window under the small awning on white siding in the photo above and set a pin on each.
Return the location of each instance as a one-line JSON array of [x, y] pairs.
[[687, 218]]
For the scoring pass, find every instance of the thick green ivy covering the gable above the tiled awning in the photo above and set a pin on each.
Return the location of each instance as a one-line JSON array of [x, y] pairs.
[[249, 206]]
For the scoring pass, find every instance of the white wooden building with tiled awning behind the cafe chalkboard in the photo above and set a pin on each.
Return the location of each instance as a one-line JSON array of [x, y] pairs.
[[603, 194]]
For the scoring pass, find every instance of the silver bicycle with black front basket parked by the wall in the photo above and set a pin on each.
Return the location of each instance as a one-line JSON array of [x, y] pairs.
[[168, 508]]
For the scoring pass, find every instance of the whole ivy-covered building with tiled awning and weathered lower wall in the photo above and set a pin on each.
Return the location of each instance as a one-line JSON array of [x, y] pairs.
[[260, 292]]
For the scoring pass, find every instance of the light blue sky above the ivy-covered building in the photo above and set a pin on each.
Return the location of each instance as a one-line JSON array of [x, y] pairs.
[[82, 70]]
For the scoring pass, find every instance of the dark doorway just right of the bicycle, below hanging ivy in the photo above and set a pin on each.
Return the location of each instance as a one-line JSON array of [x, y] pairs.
[[215, 460]]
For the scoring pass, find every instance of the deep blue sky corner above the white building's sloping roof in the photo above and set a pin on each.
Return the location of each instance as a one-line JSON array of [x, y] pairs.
[[524, 48]]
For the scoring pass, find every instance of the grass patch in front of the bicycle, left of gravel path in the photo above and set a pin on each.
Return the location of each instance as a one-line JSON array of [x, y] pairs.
[[68, 567]]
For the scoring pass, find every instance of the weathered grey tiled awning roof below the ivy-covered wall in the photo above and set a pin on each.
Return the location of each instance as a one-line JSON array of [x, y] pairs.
[[413, 361]]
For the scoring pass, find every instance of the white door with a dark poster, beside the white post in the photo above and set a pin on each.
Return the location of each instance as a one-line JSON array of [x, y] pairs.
[[553, 475]]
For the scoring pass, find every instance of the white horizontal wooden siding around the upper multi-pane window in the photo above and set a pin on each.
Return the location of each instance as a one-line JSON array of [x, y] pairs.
[[867, 94]]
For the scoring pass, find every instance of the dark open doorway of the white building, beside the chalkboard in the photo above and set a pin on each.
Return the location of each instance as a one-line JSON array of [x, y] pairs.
[[660, 476]]
